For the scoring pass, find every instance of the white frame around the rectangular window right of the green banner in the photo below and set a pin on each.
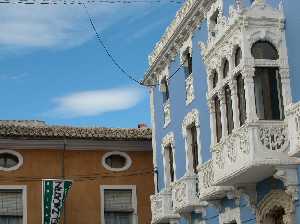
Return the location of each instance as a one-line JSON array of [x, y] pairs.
[[119, 187]]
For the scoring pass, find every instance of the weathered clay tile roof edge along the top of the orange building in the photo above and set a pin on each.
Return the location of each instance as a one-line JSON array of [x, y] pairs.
[[38, 129]]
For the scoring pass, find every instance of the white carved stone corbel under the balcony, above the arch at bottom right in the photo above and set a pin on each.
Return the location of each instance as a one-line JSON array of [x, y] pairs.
[[289, 177]]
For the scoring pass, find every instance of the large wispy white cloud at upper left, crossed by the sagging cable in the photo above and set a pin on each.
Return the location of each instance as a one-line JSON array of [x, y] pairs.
[[53, 26]]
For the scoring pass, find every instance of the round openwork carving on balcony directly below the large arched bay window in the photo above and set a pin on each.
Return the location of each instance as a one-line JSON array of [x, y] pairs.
[[274, 138]]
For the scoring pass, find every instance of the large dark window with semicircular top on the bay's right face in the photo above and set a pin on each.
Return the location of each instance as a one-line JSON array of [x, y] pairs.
[[267, 81]]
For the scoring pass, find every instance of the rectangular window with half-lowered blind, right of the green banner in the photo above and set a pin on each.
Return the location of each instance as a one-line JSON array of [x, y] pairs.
[[119, 206]]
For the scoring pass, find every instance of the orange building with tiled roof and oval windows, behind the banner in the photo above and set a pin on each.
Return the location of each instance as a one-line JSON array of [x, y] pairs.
[[111, 169]]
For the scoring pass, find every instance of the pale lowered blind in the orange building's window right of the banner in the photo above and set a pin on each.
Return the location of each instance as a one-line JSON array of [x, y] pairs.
[[118, 200]]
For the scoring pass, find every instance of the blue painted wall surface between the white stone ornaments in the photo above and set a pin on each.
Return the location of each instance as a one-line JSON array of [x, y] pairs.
[[179, 108]]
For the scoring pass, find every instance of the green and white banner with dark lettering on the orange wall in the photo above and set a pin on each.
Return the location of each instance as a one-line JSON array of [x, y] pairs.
[[54, 195]]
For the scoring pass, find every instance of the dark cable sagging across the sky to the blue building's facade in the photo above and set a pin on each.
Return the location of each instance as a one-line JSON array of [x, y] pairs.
[[117, 64]]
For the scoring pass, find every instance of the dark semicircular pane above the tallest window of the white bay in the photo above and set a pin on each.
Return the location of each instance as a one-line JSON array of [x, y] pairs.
[[264, 50]]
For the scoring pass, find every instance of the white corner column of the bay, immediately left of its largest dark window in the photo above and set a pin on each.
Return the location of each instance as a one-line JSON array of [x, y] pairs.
[[248, 75]]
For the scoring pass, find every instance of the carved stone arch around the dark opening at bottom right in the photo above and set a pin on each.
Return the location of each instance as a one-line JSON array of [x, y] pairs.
[[276, 199]]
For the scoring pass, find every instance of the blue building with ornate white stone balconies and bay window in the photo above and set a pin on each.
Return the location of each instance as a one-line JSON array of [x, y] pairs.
[[225, 114]]
